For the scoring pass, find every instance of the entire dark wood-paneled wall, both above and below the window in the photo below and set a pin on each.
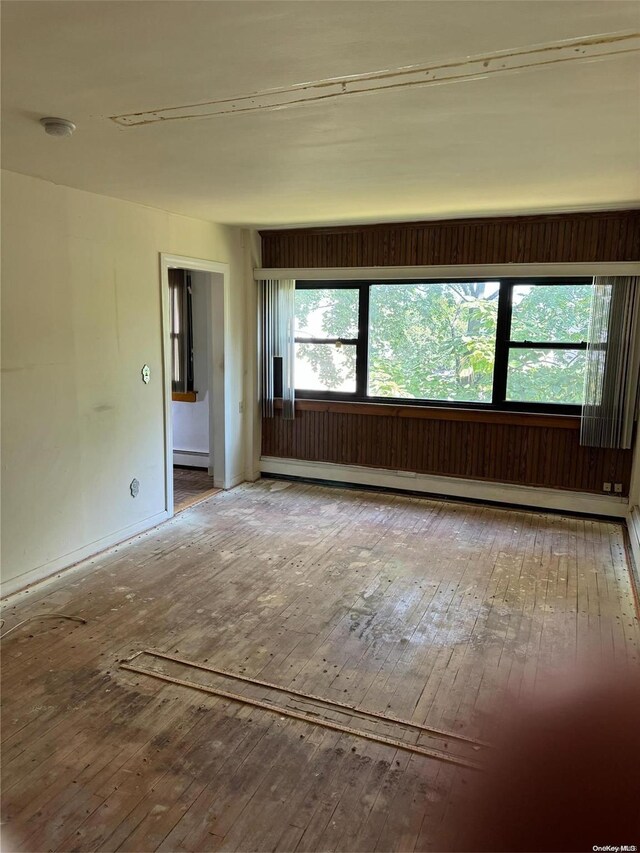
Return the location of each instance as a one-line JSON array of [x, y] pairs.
[[515, 449]]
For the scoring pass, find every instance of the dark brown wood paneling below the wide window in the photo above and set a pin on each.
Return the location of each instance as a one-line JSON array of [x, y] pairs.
[[544, 452]]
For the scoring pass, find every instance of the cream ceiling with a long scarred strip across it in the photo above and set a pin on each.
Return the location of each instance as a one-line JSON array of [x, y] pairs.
[[559, 136]]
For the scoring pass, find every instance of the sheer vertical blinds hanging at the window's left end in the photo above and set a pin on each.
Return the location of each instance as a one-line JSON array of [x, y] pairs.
[[277, 331]]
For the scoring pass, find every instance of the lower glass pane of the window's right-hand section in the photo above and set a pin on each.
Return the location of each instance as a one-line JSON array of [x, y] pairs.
[[546, 376]]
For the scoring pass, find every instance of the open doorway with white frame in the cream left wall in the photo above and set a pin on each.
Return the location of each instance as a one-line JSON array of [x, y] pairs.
[[193, 321]]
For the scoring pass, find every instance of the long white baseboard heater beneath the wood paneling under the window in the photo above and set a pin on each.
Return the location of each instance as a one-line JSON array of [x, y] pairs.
[[526, 496]]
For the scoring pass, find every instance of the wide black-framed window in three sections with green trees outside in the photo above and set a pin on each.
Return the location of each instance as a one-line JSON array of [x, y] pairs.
[[513, 344]]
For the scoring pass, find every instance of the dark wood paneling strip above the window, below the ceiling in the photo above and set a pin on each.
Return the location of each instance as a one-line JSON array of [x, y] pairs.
[[562, 238]]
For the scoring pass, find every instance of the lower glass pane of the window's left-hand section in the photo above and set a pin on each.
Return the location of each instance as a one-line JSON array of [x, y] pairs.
[[326, 367]]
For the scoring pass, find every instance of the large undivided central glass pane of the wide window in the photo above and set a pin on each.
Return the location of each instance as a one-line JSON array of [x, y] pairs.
[[433, 341]]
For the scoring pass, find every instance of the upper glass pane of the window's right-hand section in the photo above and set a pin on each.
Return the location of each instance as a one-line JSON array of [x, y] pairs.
[[553, 313]]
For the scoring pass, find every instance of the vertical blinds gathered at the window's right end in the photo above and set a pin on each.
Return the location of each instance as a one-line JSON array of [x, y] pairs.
[[611, 392]]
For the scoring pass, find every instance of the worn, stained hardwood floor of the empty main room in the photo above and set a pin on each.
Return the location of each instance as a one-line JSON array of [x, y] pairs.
[[421, 609]]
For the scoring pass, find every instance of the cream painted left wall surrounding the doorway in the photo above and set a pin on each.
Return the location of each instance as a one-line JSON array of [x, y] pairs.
[[80, 316]]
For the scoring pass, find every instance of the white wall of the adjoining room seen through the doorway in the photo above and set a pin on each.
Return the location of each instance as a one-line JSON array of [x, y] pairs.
[[191, 420]]
